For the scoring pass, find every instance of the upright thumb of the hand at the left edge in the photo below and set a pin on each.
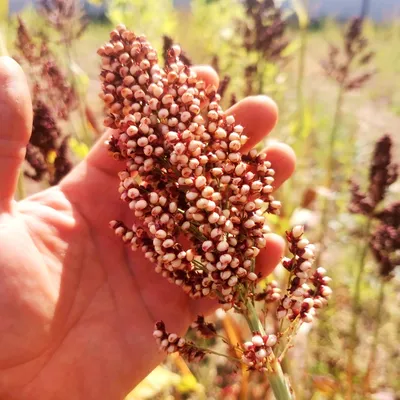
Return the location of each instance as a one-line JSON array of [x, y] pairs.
[[15, 127]]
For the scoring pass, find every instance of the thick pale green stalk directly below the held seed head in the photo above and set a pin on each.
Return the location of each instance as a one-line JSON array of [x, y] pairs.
[[275, 376]]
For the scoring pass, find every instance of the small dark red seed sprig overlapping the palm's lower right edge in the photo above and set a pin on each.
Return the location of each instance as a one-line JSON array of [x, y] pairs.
[[172, 343]]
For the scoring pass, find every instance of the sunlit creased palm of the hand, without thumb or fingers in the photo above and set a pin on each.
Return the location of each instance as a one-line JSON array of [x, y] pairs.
[[82, 290]]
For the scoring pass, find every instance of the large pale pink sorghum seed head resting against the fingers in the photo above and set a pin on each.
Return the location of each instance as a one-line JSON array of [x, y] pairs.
[[184, 171]]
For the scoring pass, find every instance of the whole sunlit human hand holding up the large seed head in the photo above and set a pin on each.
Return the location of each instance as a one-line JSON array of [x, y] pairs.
[[77, 308]]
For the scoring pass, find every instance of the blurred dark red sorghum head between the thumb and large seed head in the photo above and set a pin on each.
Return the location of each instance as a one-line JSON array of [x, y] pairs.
[[47, 150]]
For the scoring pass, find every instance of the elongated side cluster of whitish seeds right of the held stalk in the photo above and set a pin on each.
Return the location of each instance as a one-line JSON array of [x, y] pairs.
[[308, 289]]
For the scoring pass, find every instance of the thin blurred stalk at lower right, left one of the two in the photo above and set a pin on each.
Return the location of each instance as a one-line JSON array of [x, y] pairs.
[[356, 311]]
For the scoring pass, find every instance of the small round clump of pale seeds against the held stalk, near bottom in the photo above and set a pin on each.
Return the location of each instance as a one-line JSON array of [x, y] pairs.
[[256, 352]]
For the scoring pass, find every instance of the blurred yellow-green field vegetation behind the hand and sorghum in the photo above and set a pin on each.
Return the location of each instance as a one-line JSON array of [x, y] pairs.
[[211, 32]]
